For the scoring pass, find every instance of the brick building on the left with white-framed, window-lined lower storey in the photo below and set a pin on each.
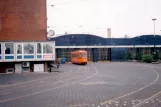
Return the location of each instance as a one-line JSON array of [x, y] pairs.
[[23, 36]]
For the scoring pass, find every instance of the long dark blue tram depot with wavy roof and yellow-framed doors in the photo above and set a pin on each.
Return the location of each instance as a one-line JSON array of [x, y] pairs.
[[105, 49]]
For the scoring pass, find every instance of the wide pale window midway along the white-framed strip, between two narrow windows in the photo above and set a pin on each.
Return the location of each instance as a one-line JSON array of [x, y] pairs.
[[28, 48]]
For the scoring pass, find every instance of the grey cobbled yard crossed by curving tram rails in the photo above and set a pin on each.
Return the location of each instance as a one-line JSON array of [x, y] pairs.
[[94, 85]]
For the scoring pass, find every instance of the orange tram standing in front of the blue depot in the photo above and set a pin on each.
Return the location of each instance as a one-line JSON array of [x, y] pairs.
[[79, 57]]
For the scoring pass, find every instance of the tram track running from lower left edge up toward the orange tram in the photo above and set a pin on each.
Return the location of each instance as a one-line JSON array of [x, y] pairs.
[[72, 77]]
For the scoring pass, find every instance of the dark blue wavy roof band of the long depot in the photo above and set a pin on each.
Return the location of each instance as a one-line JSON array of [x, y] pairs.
[[94, 40]]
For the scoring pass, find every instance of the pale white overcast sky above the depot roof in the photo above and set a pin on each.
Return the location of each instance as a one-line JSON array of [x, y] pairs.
[[124, 17]]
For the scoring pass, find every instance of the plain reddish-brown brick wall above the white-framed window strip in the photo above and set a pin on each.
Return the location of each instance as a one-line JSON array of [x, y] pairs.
[[23, 20]]
